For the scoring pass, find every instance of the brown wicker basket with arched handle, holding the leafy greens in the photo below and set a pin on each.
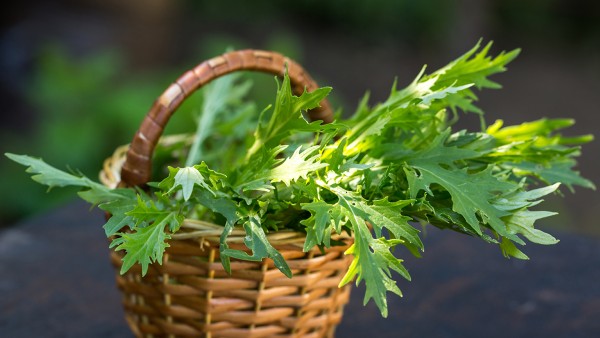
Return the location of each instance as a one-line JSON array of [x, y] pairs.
[[190, 294]]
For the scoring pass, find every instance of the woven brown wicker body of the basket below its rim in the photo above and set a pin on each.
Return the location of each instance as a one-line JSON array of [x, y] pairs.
[[190, 294]]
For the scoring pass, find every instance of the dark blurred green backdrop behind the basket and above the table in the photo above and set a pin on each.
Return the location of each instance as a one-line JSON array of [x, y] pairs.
[[77, 77]]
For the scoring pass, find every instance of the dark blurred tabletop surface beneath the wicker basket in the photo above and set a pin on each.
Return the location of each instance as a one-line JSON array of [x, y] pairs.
[[56, 281]]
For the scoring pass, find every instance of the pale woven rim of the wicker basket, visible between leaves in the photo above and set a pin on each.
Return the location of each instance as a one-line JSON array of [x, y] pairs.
[[110, 176]]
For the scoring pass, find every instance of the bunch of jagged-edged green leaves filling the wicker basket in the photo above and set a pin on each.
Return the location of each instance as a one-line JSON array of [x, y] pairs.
[[375, 175]]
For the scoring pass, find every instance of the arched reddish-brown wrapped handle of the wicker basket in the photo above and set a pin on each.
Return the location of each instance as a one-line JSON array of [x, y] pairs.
[[137, 169]]
